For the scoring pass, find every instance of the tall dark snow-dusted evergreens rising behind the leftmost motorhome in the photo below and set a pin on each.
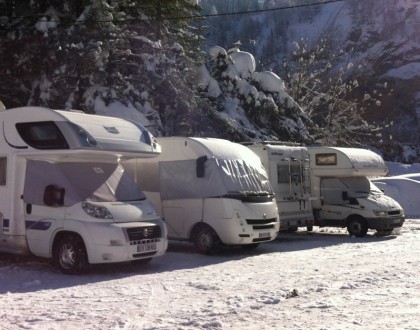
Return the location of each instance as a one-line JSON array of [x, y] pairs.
[[89, 54]]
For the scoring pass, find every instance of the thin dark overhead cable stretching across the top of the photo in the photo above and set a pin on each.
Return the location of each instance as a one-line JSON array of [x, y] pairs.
[[248, 12]]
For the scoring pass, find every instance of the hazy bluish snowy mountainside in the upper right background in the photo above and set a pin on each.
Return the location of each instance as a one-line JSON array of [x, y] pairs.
[[375, 42]]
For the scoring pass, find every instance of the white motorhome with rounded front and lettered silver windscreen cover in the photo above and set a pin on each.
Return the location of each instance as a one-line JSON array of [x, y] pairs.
[[210, 191]]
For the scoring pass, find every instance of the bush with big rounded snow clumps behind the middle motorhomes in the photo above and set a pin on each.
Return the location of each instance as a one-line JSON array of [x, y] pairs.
[[255, 102]]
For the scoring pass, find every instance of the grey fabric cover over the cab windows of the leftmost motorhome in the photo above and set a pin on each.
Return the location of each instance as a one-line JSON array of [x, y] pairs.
[[99, 182]]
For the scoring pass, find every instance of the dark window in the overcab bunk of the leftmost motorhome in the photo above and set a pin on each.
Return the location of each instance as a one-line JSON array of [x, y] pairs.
[[42, 135]]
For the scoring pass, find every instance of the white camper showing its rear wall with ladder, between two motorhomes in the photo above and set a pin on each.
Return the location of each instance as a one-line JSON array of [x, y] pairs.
[[287, 165]]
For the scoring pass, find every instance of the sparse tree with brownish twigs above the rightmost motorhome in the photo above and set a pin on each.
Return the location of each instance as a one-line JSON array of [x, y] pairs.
[[334, 101]]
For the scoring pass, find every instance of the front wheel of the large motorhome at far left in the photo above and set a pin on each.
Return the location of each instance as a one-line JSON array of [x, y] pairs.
[[70, 255]]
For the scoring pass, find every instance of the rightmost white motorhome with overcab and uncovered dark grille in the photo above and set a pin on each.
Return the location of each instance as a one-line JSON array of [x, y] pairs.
[[344, 195]]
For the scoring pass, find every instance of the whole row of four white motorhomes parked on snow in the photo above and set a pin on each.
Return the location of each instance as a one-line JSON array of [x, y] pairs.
[[84, 189]]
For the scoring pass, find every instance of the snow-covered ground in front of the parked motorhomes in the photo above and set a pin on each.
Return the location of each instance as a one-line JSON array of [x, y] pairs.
[[320, 280]]
